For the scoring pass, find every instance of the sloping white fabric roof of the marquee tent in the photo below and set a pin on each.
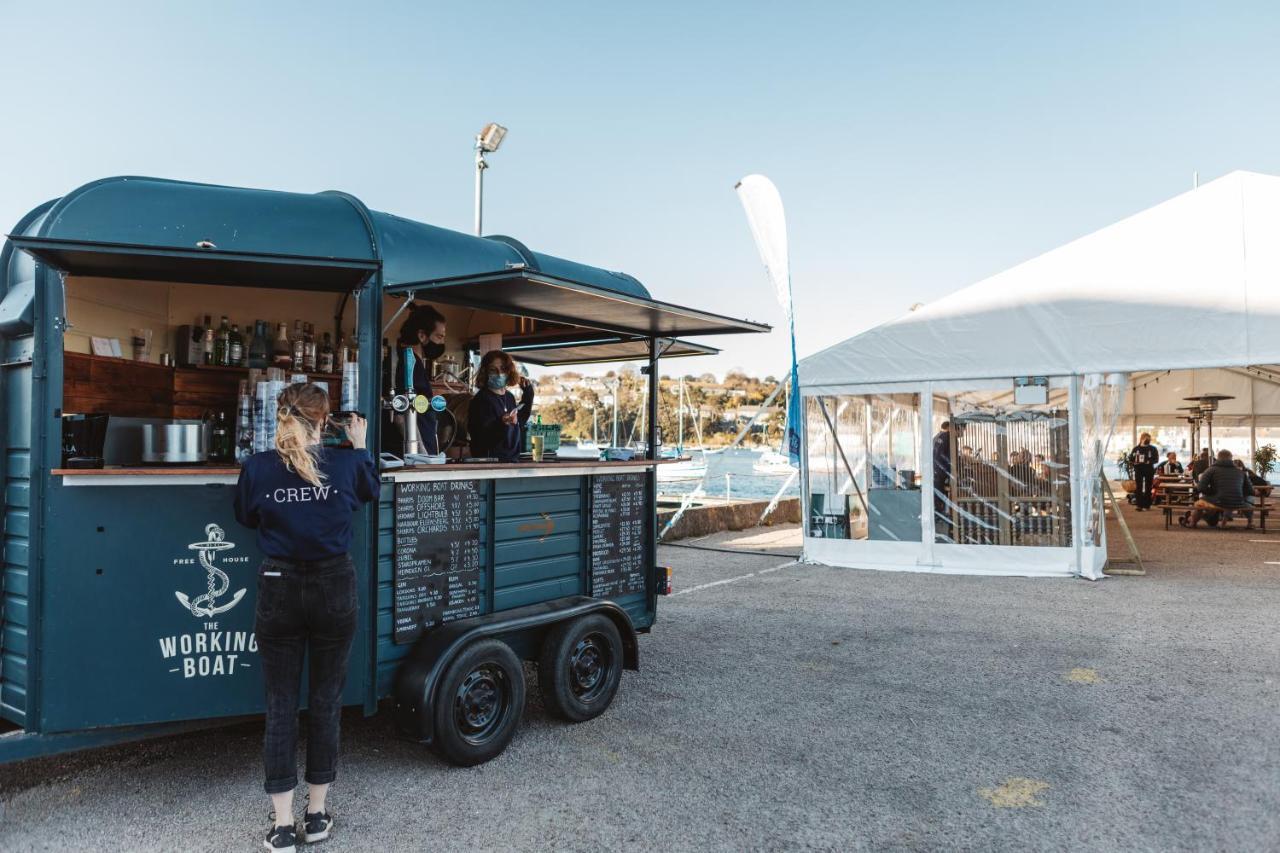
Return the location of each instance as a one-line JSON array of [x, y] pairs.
[[1192, 282]]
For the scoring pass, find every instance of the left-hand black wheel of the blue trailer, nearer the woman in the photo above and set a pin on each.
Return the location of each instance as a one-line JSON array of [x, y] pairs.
[[479, 704]]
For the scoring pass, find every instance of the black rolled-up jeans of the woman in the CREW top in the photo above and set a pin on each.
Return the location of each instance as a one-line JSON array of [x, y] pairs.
[[304, 609]]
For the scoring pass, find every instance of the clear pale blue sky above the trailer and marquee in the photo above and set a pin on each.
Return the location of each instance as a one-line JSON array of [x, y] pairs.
[[918, 147]]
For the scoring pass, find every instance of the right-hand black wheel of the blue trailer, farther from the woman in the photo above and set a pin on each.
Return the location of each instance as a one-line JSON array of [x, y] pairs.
[[580, 668]]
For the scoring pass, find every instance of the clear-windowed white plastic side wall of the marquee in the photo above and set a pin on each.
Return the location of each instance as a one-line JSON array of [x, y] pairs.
[[961, 477]]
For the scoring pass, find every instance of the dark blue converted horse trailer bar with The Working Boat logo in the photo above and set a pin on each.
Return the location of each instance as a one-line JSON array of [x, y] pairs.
[[129, 591]]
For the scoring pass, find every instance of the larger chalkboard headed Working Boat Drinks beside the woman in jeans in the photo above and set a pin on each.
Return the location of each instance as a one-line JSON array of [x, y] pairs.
[[437, 555]]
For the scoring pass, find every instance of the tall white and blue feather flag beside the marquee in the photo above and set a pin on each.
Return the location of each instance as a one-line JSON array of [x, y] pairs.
[[769, 223]]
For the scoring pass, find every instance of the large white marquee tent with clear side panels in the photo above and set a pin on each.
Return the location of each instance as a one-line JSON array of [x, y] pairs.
[[1034, 367]]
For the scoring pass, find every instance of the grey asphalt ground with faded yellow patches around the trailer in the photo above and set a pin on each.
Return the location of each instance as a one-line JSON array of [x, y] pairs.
[[798, 708]]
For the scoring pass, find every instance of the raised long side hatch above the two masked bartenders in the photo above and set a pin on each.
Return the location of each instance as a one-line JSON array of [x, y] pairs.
[[528, 293]]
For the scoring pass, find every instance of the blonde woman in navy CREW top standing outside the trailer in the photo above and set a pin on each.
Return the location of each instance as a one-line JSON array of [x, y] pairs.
[[301, 500]]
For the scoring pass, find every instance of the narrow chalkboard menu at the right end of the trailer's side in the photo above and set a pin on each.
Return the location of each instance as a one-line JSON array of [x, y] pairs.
[[619, 535]]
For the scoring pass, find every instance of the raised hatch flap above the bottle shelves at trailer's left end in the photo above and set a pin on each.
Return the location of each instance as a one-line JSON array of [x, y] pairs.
[[199, 266]]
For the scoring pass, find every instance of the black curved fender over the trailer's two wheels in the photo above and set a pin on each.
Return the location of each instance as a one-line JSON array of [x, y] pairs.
[[419, 676]]
